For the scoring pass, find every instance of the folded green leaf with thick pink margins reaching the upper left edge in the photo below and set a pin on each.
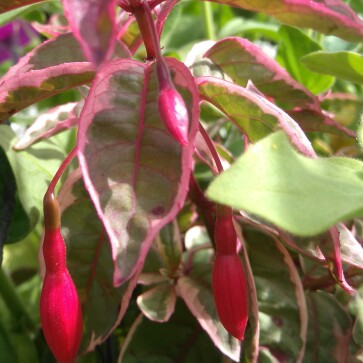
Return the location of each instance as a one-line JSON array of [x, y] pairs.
[[53, 67]]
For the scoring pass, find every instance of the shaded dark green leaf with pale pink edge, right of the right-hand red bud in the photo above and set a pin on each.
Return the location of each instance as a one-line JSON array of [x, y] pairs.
[[280, 295]]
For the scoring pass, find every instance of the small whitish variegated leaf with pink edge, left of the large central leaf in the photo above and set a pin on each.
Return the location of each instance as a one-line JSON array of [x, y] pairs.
[[50, 123]]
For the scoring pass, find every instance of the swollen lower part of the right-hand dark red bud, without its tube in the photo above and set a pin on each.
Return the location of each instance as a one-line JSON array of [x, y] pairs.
[[230, 293]]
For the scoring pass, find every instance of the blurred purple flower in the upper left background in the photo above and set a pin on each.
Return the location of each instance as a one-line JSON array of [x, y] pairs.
[[14, 36]]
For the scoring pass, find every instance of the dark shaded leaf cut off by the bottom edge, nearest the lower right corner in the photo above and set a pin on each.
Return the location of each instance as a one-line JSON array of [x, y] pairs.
[[329, 329]]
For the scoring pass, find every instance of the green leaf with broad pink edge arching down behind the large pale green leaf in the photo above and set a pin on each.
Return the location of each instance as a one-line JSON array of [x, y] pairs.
[[253, 114]]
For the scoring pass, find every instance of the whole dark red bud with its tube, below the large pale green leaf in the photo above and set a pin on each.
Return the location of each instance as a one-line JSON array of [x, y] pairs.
[[228, 278]]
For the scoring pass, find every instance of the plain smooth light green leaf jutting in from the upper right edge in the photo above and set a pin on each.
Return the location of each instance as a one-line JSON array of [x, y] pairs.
[[343, 65]]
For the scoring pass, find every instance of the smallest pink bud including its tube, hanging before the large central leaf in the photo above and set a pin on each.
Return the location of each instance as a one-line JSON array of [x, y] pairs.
[[172, 108]]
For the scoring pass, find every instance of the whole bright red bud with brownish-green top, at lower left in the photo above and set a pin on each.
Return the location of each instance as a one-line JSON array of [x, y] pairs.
[[60, 310]]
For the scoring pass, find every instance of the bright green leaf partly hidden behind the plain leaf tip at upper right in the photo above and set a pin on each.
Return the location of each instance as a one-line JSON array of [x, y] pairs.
[[293, 45]]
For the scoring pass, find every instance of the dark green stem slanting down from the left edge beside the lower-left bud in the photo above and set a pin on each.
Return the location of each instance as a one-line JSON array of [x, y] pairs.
[[13, 302]]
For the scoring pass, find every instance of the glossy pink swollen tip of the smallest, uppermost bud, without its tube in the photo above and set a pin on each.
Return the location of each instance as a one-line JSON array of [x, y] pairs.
[[174, 114]]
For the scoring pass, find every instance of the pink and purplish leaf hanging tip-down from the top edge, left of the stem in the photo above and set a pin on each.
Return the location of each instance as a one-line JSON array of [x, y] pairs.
[[93, 24]]
